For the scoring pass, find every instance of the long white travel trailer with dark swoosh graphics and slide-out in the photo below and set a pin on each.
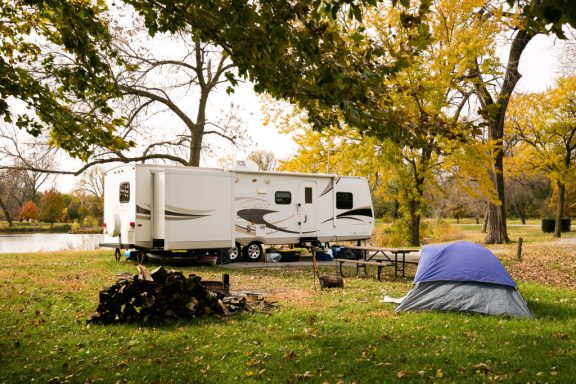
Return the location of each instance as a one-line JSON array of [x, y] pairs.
[[158, 208]]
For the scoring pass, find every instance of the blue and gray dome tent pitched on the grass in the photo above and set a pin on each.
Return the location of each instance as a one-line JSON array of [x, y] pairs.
[[463, 277]]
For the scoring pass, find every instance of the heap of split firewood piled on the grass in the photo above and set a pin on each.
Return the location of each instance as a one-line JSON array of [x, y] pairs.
[[163, 294]]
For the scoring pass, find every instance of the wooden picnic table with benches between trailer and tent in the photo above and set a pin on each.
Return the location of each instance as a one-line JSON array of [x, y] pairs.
[[379, 257]]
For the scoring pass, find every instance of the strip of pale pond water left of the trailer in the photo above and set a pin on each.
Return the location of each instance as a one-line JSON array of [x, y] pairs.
[[38, 242]]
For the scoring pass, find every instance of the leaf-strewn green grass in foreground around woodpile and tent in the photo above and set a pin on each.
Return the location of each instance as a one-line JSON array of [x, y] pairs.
[[314, 336]]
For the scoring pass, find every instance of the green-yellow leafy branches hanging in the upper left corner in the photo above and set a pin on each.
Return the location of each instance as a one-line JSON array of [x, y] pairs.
[[51, 55]]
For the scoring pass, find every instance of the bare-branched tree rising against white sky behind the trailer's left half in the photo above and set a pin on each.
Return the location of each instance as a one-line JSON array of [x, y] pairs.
[[168, 84]]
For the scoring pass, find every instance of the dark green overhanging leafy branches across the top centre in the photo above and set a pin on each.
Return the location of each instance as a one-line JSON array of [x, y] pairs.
[[311, 53]]
